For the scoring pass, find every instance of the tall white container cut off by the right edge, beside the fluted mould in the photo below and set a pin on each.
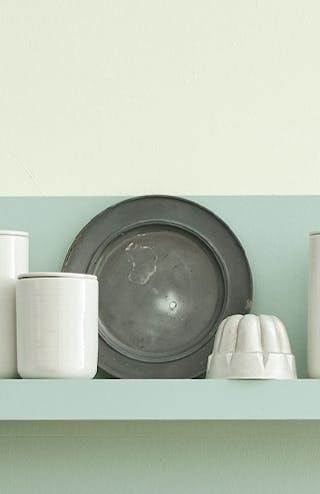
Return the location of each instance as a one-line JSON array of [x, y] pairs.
[[314, 306]]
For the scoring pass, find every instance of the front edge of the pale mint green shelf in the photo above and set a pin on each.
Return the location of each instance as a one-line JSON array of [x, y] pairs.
[[159, 400]]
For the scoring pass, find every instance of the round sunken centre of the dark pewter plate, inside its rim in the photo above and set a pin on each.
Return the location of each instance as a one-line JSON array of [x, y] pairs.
[[161, 292]]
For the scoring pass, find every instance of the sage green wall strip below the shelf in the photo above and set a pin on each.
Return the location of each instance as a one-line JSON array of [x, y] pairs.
[[160, 458]]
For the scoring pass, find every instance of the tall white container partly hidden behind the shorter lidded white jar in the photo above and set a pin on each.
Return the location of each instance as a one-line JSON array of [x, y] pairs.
[[14, 259]]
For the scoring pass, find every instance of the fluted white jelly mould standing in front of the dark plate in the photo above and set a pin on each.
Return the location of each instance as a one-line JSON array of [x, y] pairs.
[[251, 347]]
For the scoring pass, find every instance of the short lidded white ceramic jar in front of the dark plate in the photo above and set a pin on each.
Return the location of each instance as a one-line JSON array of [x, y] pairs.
[[57, 325]]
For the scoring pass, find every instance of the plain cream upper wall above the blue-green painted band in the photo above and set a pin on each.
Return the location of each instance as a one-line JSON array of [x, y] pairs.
[[141, 96]]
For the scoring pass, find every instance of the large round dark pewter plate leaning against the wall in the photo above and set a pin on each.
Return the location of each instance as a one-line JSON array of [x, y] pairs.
[[169, 271]]
